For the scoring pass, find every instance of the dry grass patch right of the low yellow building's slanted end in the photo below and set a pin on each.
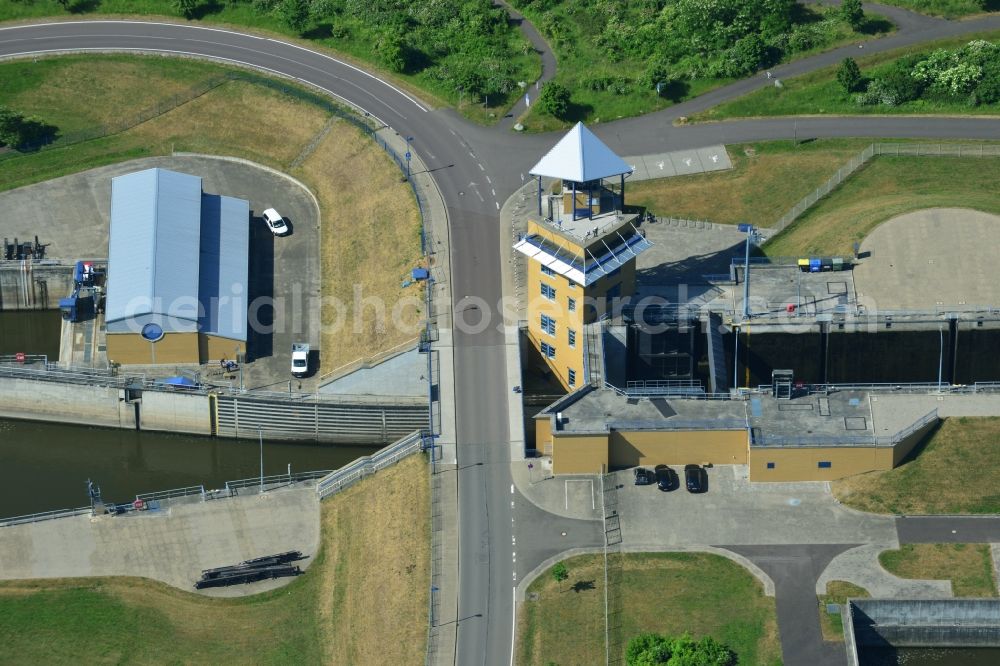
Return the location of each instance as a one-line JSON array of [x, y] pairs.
[[923, 484]]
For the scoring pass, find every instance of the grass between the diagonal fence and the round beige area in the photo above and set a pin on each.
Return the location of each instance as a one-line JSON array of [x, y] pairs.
[[886, 187]]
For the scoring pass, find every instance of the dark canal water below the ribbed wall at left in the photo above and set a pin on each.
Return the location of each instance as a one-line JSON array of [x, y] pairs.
[[45, 466]]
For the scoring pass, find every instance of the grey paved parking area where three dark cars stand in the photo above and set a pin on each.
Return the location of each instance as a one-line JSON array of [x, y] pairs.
[[735, 512]]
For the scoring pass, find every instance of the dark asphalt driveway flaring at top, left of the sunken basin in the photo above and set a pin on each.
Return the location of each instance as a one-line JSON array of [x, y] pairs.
[[794, 569]]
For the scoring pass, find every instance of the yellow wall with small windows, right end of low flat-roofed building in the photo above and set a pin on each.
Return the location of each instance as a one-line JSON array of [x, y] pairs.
[[808, 463]]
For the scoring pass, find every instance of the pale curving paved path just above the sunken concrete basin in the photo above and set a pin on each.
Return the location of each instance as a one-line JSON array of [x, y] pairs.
[[861, 567]]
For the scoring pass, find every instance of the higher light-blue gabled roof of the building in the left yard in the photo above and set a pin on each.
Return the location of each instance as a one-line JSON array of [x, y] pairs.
[[153, 265]]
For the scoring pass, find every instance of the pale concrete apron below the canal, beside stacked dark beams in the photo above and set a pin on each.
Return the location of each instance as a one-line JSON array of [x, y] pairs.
[[172, 545]]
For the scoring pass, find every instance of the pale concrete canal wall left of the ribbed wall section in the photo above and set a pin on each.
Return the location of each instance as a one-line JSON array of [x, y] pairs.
[[103, 406]]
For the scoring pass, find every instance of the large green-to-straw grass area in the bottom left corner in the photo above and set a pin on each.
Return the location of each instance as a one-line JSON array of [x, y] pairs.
[[339, 611]]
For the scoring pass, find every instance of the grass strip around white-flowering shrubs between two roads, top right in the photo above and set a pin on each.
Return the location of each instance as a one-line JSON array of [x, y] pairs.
[[818, 93]]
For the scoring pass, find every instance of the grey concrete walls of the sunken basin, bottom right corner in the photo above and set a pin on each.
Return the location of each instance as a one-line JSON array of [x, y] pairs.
[[926, 623]]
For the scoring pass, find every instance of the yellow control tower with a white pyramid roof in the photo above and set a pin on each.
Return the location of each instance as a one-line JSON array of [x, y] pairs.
[[581, 250]]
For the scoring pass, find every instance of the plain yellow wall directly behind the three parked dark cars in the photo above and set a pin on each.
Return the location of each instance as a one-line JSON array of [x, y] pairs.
[[720, 447]]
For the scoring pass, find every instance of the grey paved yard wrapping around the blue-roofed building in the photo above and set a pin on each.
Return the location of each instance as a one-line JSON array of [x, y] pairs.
[[284, 272]]
